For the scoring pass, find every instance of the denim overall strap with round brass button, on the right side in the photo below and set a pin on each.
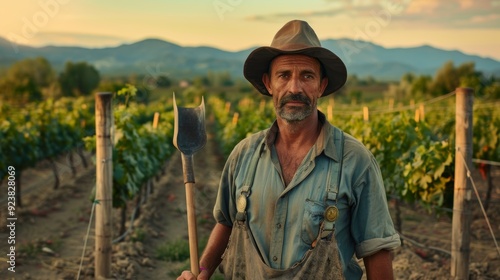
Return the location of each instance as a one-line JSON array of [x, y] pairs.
[[333, 184]]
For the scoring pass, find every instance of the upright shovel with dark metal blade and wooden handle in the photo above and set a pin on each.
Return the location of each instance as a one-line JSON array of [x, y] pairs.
[[189, 137]]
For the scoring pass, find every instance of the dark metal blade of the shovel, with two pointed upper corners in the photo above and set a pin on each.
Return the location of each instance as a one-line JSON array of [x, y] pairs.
[[189, 128]]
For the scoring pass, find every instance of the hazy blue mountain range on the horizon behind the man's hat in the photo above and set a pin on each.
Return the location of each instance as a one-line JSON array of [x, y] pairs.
[[154, 57]]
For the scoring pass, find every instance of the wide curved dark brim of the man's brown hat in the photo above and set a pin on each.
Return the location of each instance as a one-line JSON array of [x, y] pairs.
[[258, 62]]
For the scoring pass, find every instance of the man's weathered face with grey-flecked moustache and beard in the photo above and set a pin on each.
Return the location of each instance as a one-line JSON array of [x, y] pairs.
[[295, 83]]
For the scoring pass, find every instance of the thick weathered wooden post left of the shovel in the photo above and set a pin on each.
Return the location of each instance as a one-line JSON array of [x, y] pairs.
[[104, 185]]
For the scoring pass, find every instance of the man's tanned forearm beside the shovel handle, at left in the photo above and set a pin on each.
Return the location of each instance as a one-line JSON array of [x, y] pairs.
[[216, 246]]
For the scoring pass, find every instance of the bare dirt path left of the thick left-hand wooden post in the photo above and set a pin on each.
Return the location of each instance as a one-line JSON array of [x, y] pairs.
[[51, 227]]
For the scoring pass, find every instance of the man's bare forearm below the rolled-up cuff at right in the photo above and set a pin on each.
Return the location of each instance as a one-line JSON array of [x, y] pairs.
[[379, 266]]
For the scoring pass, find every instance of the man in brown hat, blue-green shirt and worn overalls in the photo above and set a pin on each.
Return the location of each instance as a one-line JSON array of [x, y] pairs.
[[298, 200]]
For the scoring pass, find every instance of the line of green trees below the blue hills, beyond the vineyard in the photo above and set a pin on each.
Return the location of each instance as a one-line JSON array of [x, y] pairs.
[[34, 79]]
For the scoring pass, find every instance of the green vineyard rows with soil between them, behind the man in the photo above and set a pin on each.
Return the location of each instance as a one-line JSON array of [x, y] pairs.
[[52, 147]]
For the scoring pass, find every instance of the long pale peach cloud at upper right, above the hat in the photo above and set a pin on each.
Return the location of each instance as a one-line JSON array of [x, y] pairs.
[[406, 13]]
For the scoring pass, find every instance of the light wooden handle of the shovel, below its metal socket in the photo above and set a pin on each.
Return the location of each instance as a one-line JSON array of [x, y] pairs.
[[192, 232]]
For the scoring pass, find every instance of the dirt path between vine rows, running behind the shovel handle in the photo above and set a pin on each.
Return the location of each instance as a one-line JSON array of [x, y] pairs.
[[164, 220]]
